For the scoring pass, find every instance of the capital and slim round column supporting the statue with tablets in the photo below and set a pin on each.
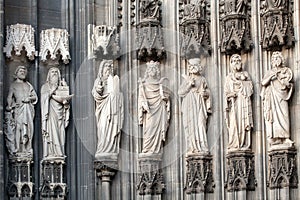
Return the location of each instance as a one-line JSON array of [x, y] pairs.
[[106, 168]]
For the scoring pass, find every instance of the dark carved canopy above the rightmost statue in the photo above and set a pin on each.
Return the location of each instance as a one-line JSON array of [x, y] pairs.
[[277, 25]]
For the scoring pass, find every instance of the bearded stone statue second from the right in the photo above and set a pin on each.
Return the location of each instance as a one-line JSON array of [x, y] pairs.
[[238, 90]]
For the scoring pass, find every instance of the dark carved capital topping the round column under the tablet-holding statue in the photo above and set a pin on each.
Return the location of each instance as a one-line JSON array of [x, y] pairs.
[[106, 169]]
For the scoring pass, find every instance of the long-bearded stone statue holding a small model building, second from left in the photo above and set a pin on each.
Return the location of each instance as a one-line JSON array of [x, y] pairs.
[[55, 114]]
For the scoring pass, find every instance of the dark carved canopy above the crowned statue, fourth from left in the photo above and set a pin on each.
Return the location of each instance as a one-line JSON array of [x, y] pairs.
[[149, 34]]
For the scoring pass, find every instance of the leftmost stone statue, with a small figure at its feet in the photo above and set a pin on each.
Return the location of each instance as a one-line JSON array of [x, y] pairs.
[[20, 114]]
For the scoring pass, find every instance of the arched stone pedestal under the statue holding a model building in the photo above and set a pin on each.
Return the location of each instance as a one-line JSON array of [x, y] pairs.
[[52, 179]]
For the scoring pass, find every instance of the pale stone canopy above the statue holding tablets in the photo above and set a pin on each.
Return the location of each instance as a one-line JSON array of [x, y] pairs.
[[103, 41]]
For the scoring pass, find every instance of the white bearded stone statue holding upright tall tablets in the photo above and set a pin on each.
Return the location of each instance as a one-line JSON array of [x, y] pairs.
[[109, 109]]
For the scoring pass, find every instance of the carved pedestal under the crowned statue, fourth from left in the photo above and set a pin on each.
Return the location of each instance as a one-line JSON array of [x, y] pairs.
[[150, 183]]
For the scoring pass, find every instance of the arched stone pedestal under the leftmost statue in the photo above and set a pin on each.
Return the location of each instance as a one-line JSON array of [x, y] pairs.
[[20, 183]]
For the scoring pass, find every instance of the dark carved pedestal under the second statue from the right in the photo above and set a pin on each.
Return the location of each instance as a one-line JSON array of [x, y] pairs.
[[240, 171]]
